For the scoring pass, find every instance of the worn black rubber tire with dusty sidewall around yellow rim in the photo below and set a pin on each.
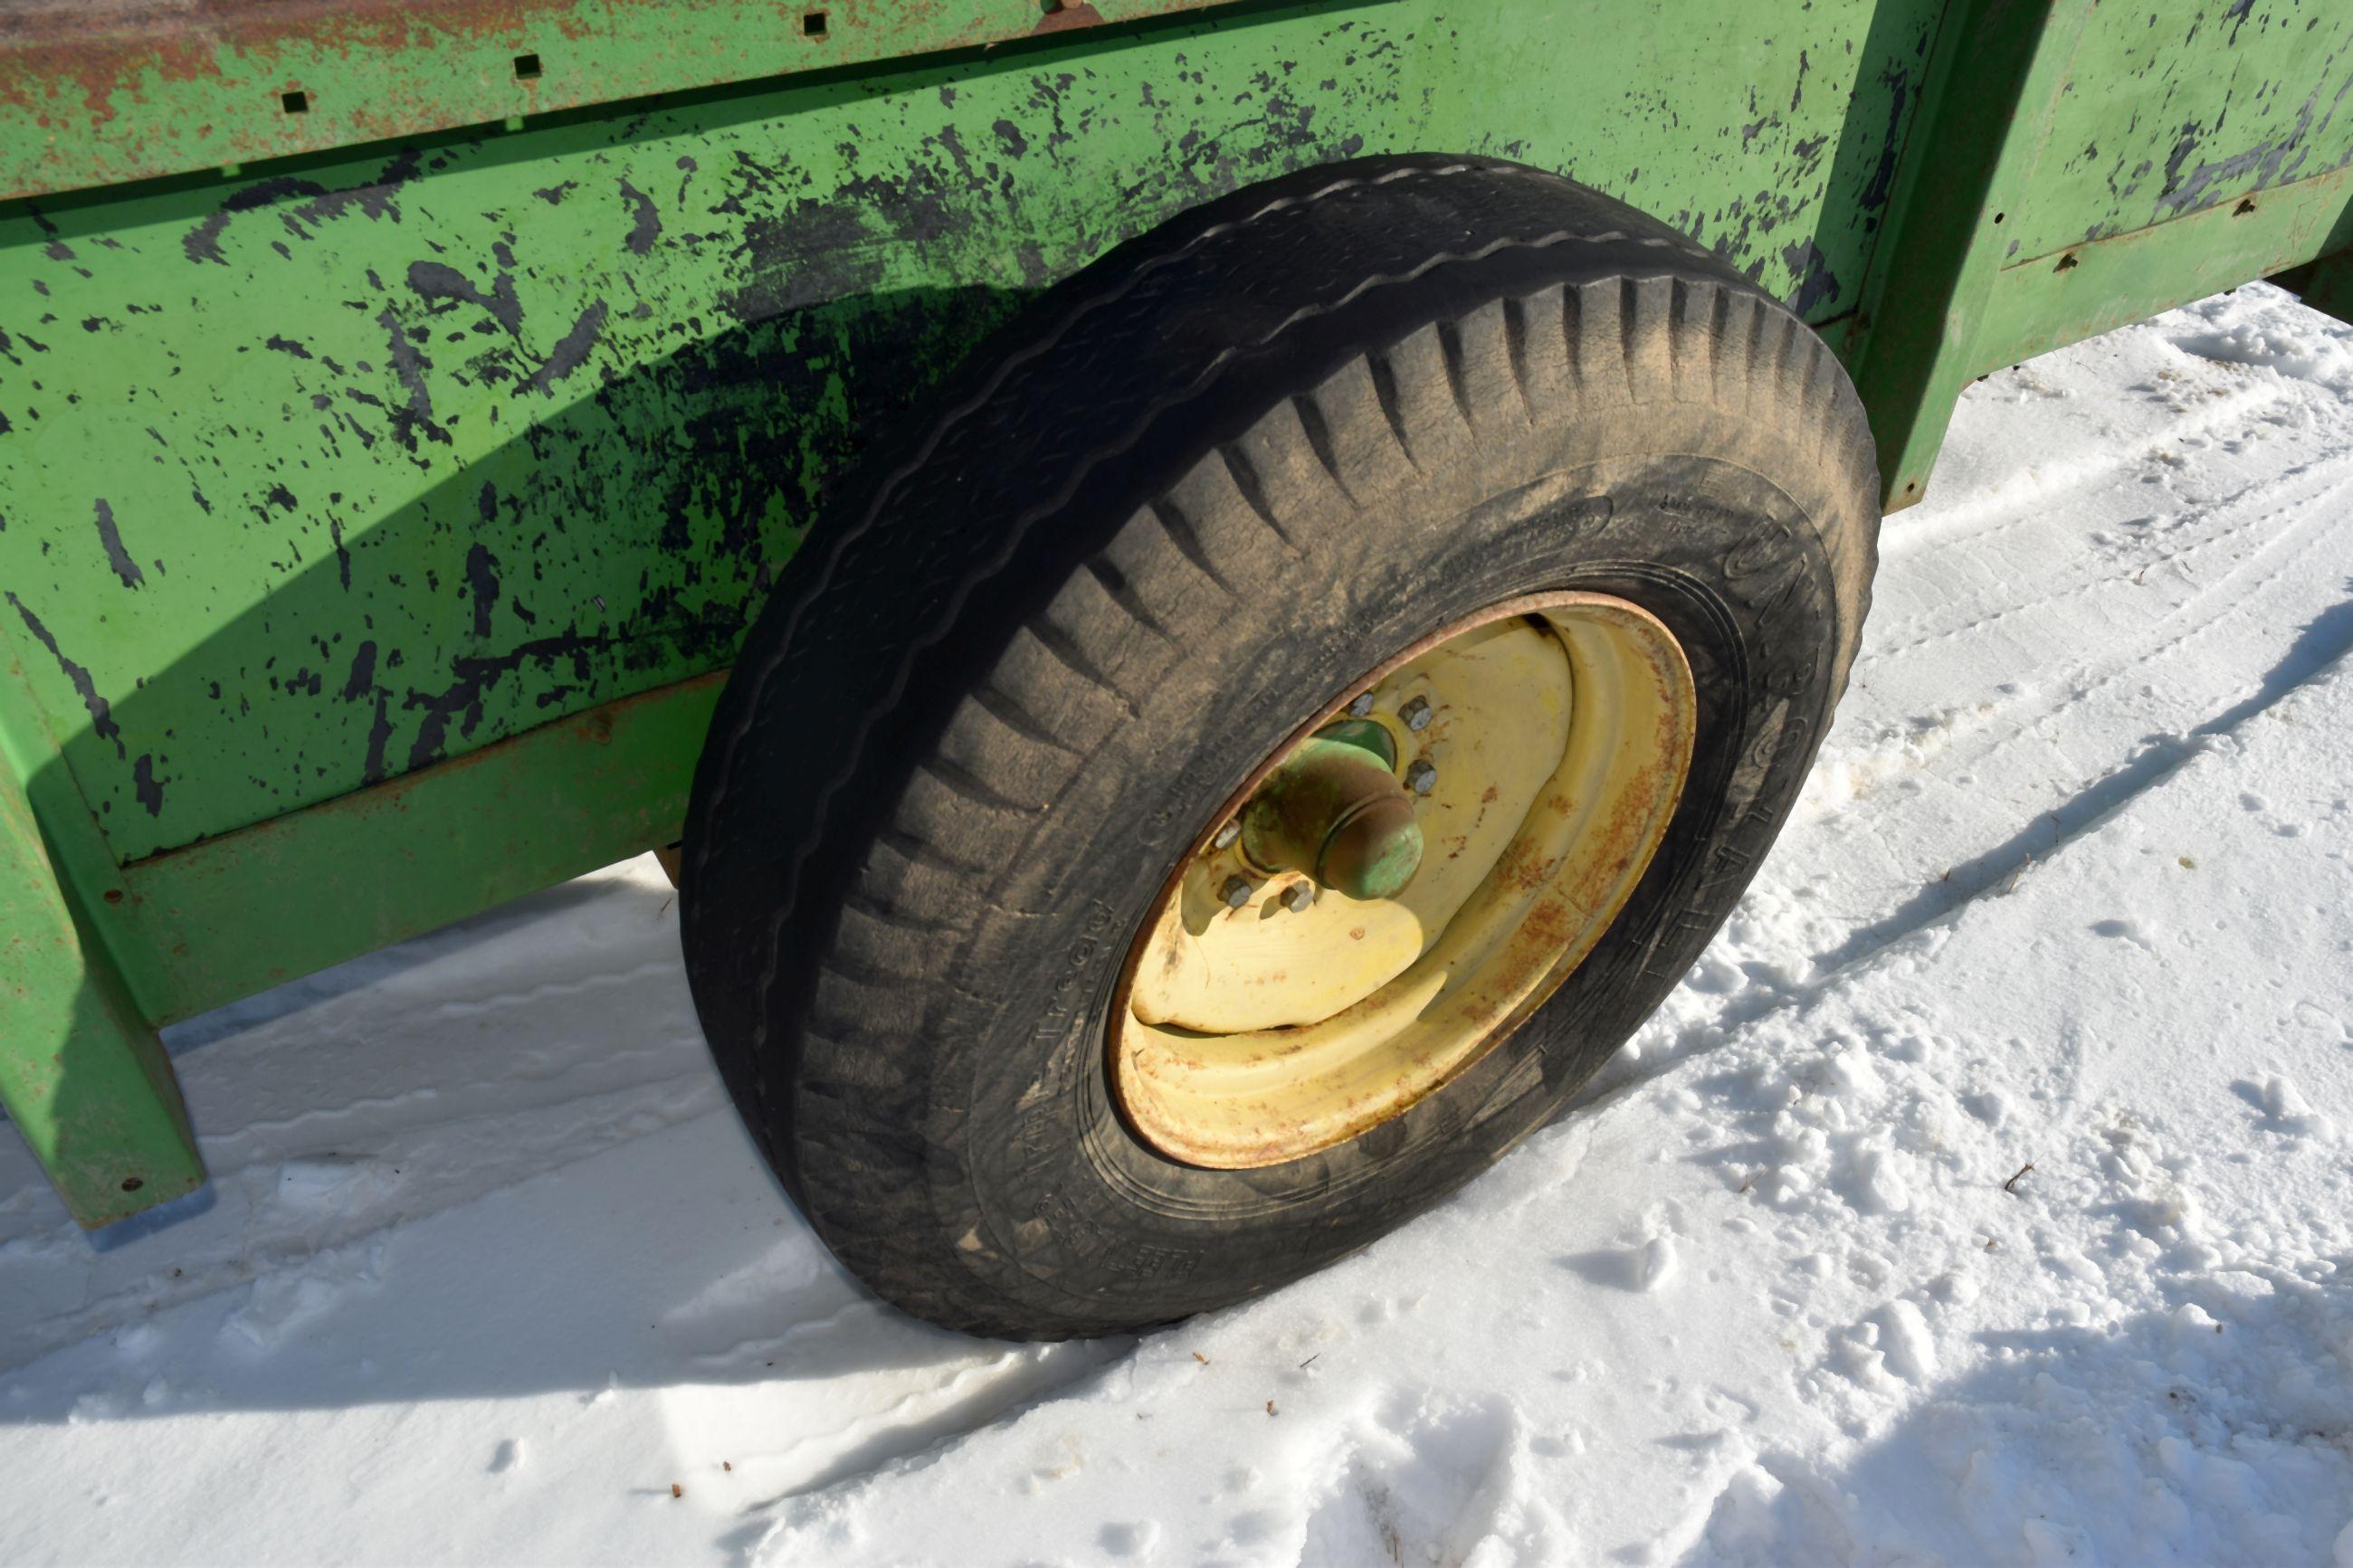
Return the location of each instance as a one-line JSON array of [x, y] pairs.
[[1168, 514]]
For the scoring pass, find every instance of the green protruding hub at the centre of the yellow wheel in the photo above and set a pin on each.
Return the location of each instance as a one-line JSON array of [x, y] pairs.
[[1338, 812]]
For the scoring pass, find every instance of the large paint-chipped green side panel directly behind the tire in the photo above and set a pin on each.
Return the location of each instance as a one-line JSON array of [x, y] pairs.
[[328, 476]]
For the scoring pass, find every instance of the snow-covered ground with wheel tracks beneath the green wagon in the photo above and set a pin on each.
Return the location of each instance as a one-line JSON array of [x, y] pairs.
[[1980, 1198]]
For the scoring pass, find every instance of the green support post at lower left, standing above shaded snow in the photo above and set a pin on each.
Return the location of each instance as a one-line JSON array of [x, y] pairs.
[[81, 1073]]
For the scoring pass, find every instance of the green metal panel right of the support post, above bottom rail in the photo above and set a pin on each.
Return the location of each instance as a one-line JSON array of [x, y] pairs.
[[2171, 109]]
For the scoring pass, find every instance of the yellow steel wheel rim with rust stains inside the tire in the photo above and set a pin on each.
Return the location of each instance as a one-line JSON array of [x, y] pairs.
[[1265, 1019]]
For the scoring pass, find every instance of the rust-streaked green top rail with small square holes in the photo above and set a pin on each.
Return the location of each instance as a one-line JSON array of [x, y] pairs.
[[98, 93]]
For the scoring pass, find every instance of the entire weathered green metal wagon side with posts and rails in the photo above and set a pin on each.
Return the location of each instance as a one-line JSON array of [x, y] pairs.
[[389, 476]]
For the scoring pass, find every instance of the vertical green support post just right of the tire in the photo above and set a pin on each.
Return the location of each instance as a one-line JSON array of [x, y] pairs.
[[1985, 119]]
